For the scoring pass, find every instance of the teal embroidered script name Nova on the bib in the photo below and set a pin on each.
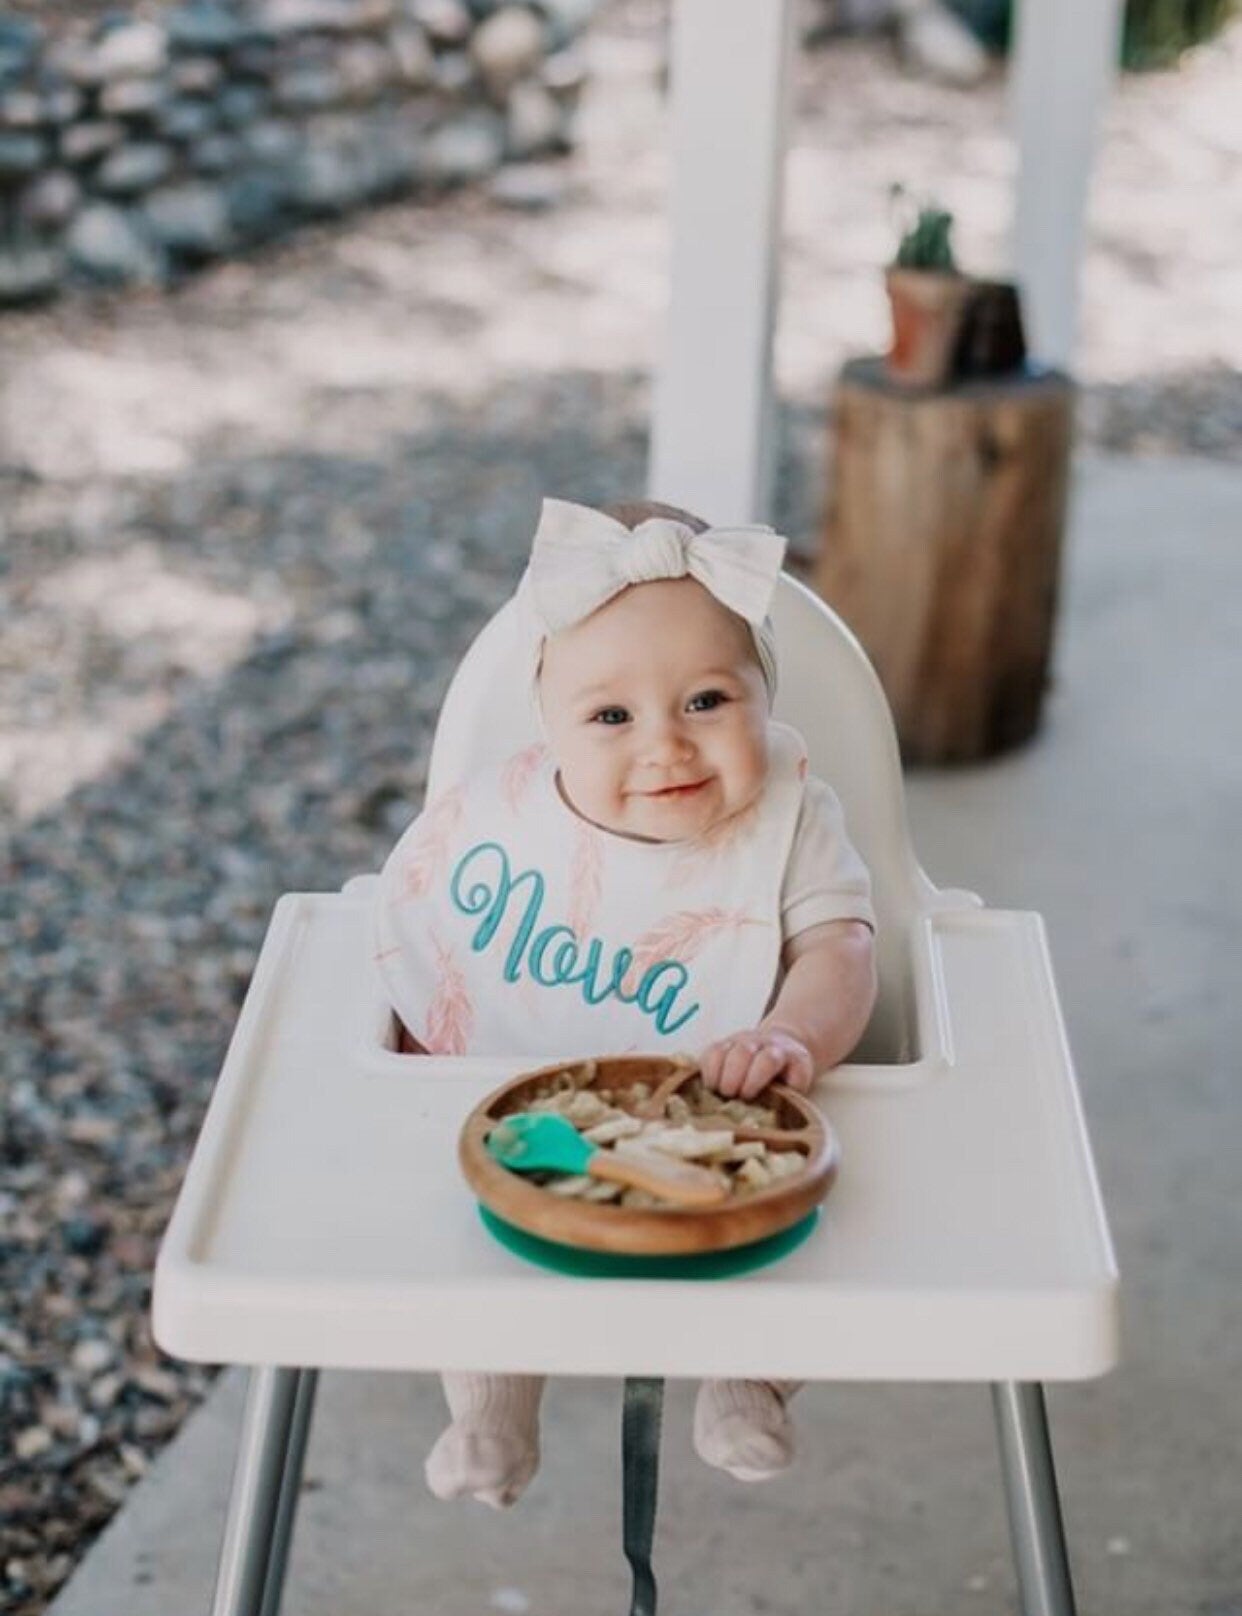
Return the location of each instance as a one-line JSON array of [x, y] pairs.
[[484, 885]]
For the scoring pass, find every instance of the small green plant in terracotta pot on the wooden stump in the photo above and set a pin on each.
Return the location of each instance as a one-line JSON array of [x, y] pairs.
[[928, 297]]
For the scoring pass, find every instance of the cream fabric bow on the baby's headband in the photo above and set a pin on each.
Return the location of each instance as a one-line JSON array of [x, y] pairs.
[[582, 558]]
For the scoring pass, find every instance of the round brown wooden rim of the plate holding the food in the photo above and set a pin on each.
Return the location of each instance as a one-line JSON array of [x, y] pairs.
[[640, 1231]]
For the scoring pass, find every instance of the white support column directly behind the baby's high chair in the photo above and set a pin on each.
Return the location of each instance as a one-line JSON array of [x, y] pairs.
[[711, 439]]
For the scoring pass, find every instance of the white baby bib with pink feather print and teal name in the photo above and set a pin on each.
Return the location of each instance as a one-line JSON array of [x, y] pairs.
[[508, 925]]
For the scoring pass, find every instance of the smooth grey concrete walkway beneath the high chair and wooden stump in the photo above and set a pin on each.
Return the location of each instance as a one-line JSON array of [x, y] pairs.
[[1122, 825]]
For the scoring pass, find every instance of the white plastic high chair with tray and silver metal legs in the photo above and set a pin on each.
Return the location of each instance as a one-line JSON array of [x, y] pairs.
[[324, 1221]]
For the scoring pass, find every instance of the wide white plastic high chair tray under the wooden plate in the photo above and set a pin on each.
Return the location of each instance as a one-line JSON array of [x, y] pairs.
[[965, 1237]]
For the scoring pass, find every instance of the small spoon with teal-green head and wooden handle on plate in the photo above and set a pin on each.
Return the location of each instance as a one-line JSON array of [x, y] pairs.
[[542, 1143]]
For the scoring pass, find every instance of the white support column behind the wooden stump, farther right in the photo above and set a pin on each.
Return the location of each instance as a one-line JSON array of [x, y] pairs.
[[1065, 59]]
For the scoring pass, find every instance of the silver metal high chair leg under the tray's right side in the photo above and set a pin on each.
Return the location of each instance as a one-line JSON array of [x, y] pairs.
[[1033, 1500]]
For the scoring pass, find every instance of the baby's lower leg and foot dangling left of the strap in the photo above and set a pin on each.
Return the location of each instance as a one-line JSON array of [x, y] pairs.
[[492, 1449]]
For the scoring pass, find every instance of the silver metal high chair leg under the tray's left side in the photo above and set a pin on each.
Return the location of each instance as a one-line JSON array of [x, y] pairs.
[[256, 1504]]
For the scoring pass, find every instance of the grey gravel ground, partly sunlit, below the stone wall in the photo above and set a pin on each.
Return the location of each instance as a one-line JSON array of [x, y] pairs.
[[250, 529]]
